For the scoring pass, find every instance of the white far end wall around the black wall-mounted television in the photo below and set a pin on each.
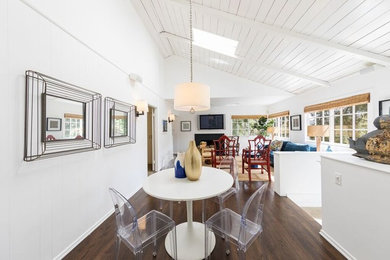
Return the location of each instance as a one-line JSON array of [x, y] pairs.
[[181, 139]]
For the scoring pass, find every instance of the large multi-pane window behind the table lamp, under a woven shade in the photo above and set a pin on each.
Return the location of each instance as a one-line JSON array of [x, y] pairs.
[[344, 122]]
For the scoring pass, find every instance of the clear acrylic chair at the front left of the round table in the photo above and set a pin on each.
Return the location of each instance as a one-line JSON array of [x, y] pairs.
[[137, 233]]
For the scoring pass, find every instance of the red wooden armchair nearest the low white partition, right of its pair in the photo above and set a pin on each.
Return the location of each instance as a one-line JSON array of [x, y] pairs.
[[257, 154]]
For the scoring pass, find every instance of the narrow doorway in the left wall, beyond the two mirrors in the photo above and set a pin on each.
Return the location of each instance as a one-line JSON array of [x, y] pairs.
[[151, 140]]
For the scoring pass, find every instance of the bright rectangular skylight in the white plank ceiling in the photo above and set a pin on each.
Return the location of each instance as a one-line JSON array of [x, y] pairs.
[[215, 42]]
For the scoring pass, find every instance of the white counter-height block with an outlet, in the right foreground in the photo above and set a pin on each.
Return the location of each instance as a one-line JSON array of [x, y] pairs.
[[356, 206]]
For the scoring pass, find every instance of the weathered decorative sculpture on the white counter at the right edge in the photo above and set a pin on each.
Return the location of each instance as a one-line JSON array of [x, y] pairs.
[[375, 146]]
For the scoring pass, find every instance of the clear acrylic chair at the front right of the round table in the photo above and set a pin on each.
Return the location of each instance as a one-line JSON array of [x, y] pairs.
[[242, 230]]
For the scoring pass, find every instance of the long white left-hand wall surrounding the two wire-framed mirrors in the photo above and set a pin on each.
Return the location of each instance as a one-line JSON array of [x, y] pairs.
[[48, 205]]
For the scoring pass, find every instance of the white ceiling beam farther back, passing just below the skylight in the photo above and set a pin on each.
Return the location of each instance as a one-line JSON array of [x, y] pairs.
[[257, 64]]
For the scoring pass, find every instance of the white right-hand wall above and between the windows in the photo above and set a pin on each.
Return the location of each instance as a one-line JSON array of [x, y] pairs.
[[377, 83]]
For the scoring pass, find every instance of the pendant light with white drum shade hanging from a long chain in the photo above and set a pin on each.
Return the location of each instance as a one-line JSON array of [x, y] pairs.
[[192, 96]]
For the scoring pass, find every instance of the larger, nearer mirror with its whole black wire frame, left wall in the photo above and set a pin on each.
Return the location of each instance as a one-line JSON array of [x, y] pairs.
[[61, 118]]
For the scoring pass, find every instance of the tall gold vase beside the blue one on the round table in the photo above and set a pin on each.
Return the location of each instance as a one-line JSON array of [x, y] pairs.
[[193, 162]]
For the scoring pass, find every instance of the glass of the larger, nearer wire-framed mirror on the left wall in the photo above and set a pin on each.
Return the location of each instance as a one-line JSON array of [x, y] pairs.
[[65, 119]]
